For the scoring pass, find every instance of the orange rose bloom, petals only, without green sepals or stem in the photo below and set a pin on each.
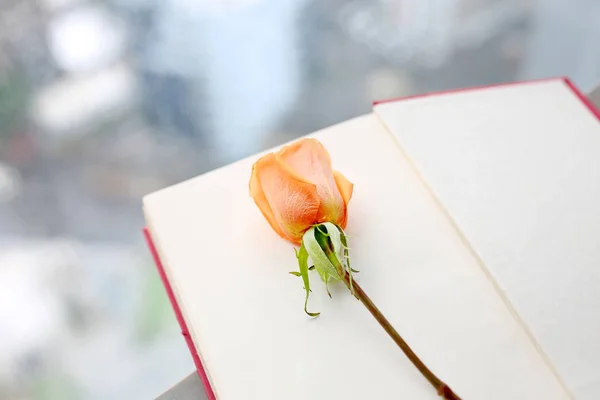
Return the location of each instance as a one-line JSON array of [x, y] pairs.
[[296, 188]]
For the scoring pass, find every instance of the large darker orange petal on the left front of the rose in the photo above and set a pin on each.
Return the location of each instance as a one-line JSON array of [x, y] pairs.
[[294, 202]]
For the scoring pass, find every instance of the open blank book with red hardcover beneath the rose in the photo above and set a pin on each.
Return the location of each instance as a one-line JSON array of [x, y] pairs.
[[475, 224]]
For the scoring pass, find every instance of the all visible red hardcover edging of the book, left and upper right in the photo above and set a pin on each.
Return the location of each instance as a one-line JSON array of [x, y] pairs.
[[184, 330]]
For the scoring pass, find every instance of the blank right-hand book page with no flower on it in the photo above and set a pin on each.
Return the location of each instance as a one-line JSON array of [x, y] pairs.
[[518, 170]]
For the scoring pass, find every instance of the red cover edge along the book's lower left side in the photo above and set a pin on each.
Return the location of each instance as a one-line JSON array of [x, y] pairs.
[[184, 330]]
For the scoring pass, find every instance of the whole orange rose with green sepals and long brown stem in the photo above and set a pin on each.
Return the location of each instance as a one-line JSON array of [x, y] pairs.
[[305, 202]]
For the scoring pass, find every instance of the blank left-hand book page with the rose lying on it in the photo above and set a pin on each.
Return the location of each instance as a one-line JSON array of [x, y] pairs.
[[244, 311]]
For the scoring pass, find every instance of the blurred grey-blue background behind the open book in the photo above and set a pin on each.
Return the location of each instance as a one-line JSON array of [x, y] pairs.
[[103, 101]]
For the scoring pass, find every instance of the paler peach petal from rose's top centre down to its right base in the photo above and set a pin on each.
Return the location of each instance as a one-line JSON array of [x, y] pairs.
[[309, 160]]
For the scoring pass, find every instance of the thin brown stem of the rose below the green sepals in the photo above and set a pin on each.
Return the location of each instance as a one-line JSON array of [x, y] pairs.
[[443, 390]]
